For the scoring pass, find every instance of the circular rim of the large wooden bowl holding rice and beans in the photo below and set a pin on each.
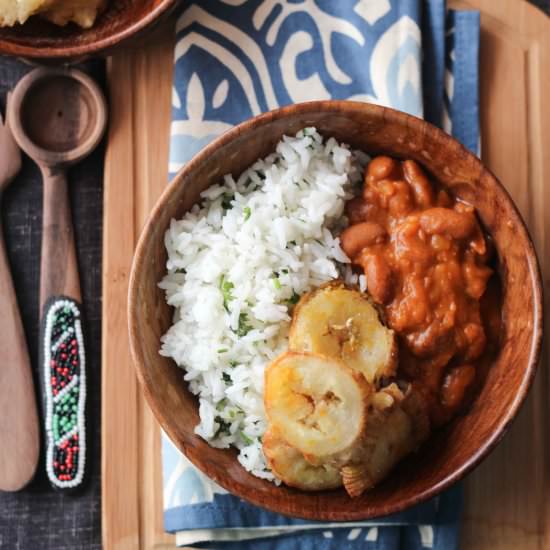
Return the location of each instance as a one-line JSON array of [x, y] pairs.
[[401, 118]]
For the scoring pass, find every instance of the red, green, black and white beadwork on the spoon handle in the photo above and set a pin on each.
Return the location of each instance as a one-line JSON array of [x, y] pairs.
[[65, 388]]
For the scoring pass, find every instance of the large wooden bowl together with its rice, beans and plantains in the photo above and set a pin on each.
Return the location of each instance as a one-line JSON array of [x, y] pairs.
[[335, 408]]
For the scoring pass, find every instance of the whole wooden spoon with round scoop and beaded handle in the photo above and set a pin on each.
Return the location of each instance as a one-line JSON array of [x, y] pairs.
[[58, 116]]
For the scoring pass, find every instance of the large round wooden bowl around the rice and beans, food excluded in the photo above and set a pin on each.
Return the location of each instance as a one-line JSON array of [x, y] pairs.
[[451, 452]]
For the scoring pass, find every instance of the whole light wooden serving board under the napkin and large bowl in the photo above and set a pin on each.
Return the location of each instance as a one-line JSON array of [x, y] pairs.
[[507, 504]]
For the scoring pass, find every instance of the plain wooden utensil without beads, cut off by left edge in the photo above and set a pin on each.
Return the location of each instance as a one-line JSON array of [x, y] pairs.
[[19, 434]]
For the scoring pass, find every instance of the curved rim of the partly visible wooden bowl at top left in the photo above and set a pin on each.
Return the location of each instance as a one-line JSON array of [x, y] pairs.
[[13, 48]]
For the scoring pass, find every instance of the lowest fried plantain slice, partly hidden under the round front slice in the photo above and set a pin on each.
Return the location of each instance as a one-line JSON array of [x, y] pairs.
[[289, 465]]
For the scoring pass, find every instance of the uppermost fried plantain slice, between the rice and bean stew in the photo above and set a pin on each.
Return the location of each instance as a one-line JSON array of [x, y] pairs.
[[338, 322]]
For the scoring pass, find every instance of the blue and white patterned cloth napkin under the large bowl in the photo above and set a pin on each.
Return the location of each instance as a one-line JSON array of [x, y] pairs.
[[237, 58]]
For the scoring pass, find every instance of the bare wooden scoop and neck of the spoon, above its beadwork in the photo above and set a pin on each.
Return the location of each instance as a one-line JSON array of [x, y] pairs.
[[58, 117]]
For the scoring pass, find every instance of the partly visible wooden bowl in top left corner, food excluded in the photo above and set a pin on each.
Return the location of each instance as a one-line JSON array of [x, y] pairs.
[[40, 39]]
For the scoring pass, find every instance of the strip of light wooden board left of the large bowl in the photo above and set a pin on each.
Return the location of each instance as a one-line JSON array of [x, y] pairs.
[[136, 165]]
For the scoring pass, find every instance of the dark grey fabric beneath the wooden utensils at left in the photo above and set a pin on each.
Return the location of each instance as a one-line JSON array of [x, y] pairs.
[[38, 516]]
